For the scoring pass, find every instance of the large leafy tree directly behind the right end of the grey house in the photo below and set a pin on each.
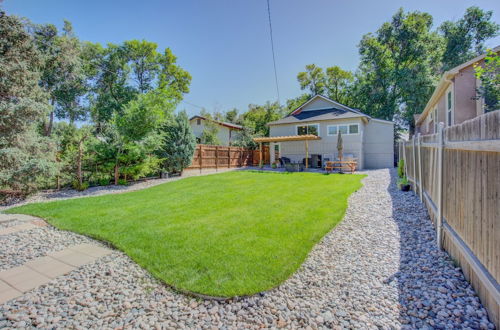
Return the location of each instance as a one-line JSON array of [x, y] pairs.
[[399, 67]]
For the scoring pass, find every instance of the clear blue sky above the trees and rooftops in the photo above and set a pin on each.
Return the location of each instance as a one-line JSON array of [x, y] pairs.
[[225, 44]]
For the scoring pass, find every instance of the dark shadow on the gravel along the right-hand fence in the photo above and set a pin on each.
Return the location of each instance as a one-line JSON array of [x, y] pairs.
[[433, 292]]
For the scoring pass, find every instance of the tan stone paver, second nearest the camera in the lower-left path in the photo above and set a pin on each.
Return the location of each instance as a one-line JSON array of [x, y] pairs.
[[23, 278]]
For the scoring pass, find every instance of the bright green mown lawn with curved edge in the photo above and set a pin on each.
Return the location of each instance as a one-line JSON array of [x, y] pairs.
[[229, 234]]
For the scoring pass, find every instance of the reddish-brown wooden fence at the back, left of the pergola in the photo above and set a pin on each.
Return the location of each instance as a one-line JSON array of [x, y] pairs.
[[215, 157]]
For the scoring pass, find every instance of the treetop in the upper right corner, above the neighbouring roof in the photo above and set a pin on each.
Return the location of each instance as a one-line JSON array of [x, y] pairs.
[[465, 38]]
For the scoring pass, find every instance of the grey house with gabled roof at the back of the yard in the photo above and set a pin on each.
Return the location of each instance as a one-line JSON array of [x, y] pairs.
[[369, 140]]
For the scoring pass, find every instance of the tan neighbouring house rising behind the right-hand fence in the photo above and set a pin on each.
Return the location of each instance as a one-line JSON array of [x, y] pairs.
[[455, 98]]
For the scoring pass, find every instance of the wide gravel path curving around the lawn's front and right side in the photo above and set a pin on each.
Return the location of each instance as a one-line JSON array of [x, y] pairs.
[[379, 268]]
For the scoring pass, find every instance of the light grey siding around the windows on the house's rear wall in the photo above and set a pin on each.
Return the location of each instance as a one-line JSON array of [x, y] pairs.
[[327, 146]]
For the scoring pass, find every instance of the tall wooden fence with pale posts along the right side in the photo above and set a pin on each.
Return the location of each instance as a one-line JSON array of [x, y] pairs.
[[456, 173]]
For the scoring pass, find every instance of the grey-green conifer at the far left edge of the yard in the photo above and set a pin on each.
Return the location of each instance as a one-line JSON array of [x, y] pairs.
[[25, 156]]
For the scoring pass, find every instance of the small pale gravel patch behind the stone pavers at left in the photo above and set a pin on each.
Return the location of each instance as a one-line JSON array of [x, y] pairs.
[[20, 247]]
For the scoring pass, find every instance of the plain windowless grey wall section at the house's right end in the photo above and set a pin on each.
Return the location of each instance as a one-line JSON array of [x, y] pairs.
[[378, 139]]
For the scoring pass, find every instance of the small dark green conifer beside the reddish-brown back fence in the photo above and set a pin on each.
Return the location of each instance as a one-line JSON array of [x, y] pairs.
[[178, 144]]
